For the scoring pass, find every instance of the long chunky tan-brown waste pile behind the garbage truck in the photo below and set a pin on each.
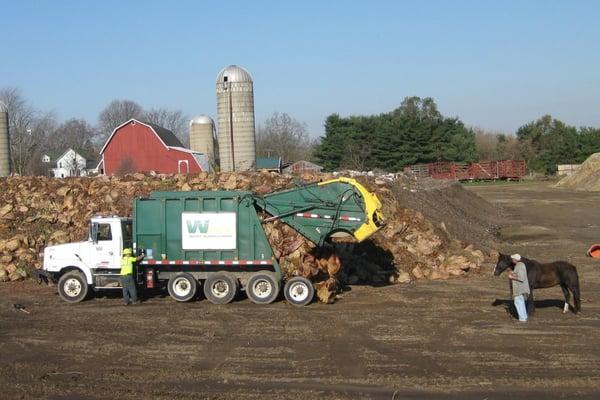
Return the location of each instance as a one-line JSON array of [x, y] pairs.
[[40, 211]]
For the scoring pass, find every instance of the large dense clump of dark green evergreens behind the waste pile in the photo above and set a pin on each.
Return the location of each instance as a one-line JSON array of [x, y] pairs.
[[415, 132]]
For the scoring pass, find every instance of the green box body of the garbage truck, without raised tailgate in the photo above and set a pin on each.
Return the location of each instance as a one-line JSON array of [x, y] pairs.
[[185, 226]]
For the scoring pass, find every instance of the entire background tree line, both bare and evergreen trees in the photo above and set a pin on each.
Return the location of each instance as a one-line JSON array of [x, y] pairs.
[[415, 132]]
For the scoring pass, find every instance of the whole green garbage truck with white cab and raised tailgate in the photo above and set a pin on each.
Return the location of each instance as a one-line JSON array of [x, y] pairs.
[[213, 239]]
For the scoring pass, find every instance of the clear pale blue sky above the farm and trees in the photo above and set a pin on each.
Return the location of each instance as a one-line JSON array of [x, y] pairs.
[[494, 64]]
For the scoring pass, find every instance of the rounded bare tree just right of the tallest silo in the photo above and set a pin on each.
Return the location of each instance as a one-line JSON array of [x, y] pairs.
[[283, 136]]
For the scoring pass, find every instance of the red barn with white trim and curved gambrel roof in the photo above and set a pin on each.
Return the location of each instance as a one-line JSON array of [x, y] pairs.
[[141, 147]]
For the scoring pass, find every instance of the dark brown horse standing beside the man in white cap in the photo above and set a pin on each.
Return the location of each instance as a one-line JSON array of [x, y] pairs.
[[547, 275]]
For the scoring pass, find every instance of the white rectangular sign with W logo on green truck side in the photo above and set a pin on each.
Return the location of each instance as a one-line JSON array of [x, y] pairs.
[[208, 231]]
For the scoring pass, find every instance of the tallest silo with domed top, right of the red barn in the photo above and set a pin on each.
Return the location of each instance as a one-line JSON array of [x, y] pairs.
[[235, 108]]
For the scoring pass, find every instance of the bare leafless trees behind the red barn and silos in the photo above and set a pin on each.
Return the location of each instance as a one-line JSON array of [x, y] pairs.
[[34, 132]]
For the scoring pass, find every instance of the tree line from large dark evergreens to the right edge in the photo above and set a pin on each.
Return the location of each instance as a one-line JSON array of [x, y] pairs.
[[416, 132]]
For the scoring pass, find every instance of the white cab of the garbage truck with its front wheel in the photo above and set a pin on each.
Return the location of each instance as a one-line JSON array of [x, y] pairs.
[[94, 263]]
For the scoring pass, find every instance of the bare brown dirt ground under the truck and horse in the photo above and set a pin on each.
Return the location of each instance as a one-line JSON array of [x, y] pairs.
[[446, 339]]
